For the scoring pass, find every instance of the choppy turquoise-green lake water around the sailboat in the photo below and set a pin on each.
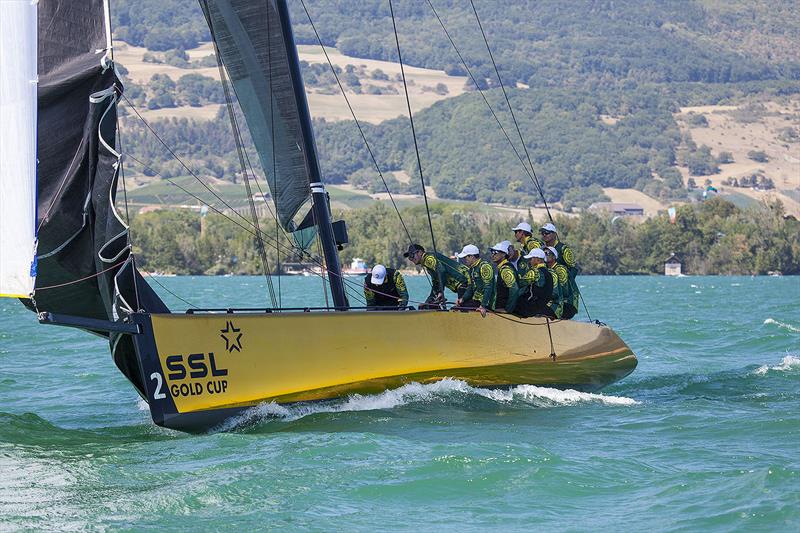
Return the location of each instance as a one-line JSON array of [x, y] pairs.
[[703, 436]]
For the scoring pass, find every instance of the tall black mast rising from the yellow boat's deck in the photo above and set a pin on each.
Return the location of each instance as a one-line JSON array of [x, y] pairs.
[[321, 208]]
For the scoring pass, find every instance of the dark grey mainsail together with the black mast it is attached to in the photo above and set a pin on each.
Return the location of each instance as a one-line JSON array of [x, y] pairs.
[[256, 46]]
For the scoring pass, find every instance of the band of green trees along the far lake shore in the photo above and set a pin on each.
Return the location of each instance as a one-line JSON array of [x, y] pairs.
[[712, 237]]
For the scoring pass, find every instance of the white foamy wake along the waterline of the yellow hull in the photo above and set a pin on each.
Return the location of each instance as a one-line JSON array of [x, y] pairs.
[[440, 391]]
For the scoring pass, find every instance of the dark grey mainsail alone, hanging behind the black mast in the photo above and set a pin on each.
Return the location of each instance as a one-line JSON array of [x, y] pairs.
[[253, 48]]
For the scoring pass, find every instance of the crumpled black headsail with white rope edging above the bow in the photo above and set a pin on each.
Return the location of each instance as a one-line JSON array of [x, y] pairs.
[[85, 266]]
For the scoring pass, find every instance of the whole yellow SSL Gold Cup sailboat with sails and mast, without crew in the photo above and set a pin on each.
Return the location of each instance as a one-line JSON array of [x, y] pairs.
[[66, 250]]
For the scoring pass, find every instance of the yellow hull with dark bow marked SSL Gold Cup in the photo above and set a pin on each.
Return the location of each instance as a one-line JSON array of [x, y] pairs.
[[220, 363]]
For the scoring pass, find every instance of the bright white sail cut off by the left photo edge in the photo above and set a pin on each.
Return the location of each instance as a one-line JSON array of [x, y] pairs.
[[17, 147]]
